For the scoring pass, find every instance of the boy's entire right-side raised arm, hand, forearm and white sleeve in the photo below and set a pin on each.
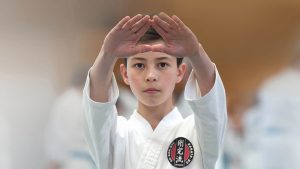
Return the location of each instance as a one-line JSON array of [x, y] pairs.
[[208, 103]]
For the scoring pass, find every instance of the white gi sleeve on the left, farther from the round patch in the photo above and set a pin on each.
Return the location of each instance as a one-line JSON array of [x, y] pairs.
[[100, 125]]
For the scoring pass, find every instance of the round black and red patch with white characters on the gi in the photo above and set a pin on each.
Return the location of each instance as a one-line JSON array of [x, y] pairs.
[[180, 152]]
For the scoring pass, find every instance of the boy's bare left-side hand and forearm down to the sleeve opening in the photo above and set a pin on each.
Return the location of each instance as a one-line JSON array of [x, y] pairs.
[[121, 41]]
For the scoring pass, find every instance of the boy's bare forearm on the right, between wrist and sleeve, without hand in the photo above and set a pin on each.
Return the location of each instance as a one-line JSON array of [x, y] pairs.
[[204, 70]]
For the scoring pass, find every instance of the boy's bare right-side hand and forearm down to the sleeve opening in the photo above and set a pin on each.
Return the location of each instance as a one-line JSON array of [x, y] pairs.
[[182, 42]]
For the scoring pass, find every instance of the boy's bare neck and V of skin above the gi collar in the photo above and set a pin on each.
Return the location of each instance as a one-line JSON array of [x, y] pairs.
[[154, 114]]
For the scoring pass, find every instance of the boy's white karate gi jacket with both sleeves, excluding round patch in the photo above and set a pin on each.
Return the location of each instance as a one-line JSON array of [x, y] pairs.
[[117, 143]]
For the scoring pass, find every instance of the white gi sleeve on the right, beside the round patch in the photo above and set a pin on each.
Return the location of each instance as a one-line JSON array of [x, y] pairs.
[[210, 114]]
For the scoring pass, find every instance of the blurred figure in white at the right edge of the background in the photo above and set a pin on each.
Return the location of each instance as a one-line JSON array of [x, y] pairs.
[[273, 125]]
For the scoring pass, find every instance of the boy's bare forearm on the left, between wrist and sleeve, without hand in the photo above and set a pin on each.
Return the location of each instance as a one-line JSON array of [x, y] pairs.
[[100, 76]]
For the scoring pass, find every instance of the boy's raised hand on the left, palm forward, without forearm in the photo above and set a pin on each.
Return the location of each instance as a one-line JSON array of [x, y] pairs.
[[122, 40]]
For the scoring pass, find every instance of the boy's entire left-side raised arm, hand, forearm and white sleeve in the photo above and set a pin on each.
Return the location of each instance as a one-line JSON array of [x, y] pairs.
[[101, 91]]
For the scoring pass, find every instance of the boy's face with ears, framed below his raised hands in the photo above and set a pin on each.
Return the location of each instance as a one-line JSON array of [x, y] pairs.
[[152, 77]]
